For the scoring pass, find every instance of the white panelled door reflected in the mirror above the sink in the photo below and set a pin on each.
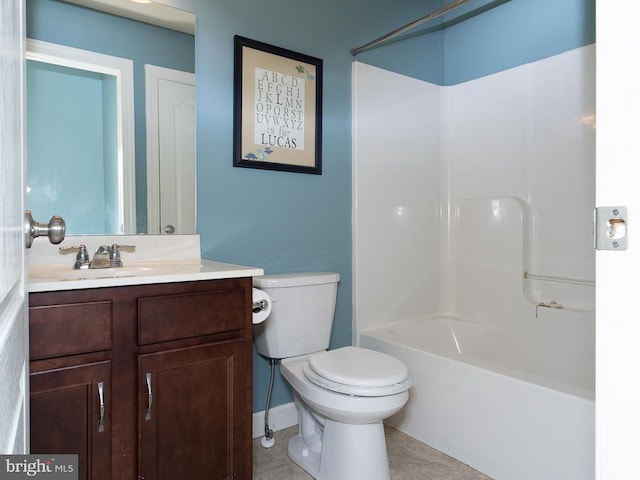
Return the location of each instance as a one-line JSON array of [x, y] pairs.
[[171, 155]]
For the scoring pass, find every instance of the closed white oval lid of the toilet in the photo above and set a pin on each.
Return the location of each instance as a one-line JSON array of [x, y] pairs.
[[359, 367]]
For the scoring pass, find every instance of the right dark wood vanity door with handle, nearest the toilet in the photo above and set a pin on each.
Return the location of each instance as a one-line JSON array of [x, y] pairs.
[[193, 421]]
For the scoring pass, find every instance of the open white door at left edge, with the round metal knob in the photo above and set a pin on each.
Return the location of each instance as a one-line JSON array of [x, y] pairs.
[[14, 396]]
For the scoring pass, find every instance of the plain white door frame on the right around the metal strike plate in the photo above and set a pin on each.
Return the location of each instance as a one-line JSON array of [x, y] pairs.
[[617, 292]]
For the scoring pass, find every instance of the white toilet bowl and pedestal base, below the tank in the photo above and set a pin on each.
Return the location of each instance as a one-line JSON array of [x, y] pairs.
[[341, 435]]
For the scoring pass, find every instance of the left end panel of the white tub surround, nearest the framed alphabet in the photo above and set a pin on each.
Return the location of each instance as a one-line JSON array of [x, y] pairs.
[[397, 193]]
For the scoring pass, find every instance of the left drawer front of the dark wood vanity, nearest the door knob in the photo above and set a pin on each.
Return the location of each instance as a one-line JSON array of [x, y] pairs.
[[83, 328]]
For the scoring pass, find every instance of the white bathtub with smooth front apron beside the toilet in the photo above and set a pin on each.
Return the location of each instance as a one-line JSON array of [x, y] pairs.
[[515, 406]]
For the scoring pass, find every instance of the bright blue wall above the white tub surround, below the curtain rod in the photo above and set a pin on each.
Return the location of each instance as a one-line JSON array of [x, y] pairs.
[[484, 37]]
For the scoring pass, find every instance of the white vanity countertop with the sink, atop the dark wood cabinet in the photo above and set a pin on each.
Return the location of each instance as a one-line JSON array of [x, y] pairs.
[[45, 278]]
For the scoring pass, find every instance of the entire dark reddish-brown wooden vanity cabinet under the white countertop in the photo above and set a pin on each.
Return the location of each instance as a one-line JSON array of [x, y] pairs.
[[145, 381]]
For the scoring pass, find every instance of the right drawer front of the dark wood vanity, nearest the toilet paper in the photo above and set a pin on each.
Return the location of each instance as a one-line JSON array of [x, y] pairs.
[[180, 316]]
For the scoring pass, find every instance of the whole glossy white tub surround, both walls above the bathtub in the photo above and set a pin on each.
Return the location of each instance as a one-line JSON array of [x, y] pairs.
[[460, 190]]
